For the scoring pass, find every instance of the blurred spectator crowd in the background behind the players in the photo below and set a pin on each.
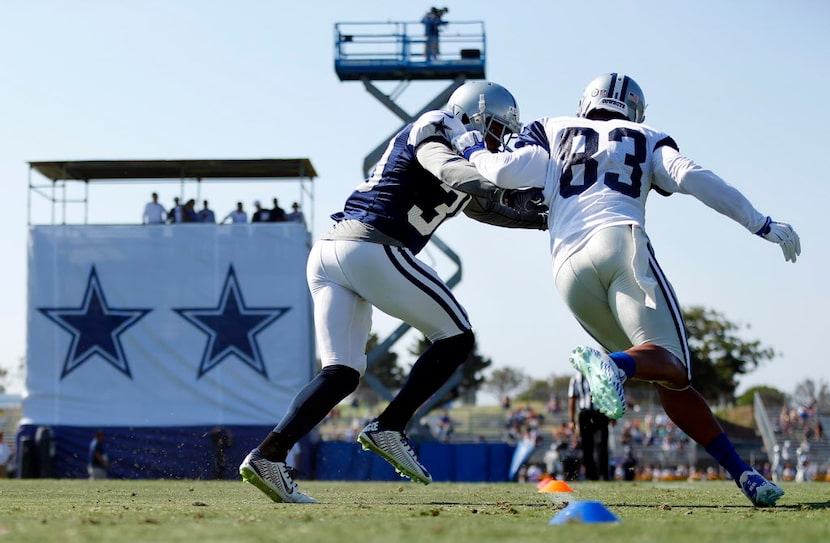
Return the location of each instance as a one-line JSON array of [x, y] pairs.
[[647, 445]]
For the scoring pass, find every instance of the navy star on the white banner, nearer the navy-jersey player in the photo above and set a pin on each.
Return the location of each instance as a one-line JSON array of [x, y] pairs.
[[232, 327]]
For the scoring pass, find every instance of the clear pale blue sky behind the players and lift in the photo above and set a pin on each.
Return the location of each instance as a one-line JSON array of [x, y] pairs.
[[741, 86]]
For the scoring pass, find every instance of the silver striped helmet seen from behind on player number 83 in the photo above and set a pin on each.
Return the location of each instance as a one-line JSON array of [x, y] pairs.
[[613, 92]]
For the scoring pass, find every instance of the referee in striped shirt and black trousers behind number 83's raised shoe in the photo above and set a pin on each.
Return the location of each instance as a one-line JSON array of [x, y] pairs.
[[592, 428]]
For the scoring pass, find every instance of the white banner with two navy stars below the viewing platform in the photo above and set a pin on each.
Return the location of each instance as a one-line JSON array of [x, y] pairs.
[[166, 325]]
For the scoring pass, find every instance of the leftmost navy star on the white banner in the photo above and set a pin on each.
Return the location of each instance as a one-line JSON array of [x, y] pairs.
[[95, 327]]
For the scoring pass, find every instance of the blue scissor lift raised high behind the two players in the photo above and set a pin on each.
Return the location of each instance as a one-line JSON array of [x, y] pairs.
[[396, 51]]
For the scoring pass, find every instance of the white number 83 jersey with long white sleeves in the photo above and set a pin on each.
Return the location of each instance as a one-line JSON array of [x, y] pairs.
[[597, 174]]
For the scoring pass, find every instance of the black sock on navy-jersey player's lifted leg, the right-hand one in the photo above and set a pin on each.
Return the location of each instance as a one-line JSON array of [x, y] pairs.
[[429, 373]]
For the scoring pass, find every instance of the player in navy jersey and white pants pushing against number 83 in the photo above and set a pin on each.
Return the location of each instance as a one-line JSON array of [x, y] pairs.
[[368, 259]]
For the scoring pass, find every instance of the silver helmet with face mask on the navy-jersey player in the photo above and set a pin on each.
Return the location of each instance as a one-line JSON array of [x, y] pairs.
[[480, 104]]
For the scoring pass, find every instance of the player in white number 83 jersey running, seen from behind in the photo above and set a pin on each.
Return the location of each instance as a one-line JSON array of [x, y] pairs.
[[596, 170]]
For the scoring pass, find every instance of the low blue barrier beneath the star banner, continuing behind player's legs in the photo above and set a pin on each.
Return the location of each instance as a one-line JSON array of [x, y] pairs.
[[190, 453]]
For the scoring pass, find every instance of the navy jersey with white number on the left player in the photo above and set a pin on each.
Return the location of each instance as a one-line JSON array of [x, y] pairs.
[[400, 198]]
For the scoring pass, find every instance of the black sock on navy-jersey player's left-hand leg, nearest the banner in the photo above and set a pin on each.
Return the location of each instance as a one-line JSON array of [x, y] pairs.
[[308, 408]]
